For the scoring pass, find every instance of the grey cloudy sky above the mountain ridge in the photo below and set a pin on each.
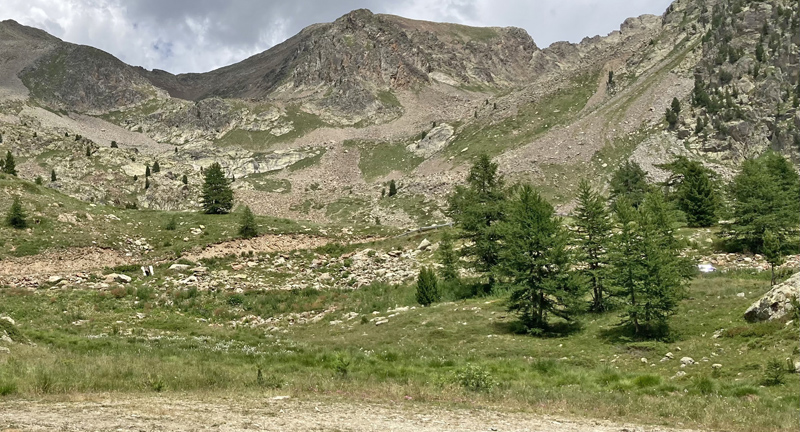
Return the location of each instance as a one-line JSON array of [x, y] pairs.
[[201, 35]]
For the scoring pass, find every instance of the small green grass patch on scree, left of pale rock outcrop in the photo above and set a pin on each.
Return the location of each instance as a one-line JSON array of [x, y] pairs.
[[379, 159]]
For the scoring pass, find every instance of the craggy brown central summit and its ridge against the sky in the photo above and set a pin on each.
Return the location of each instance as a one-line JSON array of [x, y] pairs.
[[361, 54]]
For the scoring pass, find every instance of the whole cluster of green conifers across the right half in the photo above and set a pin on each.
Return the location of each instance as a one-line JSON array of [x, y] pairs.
[[618, 252]]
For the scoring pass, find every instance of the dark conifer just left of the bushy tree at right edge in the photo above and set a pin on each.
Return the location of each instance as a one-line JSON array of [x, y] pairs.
[[695, 193]]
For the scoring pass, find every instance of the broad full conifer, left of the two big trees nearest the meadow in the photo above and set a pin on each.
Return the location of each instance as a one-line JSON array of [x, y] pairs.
[[536, 259]]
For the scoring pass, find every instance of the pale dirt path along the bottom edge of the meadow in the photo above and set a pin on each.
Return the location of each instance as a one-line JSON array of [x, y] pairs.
[[168, 412]]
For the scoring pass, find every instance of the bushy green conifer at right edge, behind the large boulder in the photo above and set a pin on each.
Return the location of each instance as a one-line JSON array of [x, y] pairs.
[[764, 197]]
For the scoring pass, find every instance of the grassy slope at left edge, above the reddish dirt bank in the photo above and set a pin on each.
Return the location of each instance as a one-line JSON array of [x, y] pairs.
[[109, 226]]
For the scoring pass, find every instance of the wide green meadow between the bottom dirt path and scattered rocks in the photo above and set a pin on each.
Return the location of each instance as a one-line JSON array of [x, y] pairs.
[[467, 352]]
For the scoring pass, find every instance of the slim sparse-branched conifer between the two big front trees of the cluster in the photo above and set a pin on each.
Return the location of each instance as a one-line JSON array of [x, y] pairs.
[[593, 228]]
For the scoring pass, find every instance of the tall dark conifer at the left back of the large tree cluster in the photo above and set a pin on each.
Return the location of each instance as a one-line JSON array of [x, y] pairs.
[[475, 210]]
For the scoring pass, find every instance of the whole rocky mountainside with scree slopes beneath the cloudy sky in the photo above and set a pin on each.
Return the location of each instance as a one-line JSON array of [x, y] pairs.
[[315, 127]]
